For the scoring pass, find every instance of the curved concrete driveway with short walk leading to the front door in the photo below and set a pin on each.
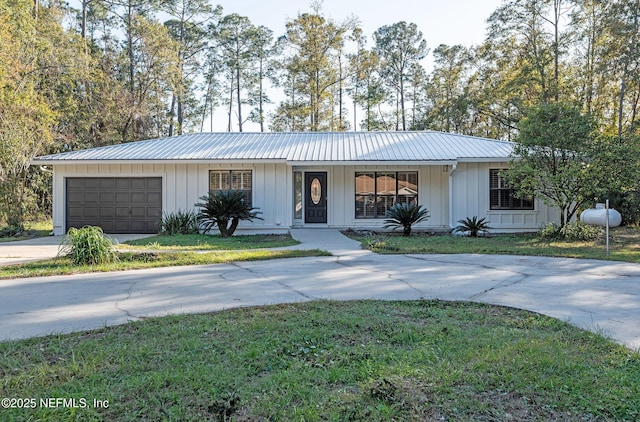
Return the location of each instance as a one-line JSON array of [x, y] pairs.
[[601, 296]]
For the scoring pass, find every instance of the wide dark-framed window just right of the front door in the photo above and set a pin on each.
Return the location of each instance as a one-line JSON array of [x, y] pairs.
[[376, 192]]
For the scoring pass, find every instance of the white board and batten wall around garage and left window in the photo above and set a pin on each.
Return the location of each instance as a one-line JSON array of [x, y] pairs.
[[184, 184]]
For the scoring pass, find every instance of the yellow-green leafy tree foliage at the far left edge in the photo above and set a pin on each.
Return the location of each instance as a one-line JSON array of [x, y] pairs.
[[37, 60]]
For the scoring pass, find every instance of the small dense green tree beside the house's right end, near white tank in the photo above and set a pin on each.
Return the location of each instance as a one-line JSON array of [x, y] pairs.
[[553, 158]]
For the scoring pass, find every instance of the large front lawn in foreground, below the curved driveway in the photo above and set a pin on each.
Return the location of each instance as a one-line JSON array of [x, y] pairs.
[[362, 361]]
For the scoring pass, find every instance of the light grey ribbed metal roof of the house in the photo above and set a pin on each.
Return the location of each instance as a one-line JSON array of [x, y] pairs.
[[297, 147]]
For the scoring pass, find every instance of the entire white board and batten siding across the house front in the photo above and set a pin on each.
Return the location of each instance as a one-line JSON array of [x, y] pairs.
[[449, 195]]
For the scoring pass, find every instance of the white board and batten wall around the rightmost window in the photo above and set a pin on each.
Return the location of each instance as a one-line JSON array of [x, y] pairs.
[[470, 197]]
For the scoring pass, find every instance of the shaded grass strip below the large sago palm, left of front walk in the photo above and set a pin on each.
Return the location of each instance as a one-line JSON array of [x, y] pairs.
[[210, 242]]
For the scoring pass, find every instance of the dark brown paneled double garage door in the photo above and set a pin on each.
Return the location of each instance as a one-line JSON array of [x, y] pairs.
[[116, 204]]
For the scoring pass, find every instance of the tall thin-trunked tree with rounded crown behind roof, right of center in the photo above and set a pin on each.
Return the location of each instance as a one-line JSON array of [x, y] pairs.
[[399, 46]]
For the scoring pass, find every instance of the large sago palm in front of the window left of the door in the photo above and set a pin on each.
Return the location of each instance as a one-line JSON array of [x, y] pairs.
[[225, 210]]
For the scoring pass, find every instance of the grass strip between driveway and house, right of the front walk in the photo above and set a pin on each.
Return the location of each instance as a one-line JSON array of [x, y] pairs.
[[624, 245]]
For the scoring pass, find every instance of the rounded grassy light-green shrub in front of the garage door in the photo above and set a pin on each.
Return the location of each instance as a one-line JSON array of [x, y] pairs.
[[88, 246]]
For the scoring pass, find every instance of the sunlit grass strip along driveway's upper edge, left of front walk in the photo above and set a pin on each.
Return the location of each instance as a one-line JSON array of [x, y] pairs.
[[140, 260]]
